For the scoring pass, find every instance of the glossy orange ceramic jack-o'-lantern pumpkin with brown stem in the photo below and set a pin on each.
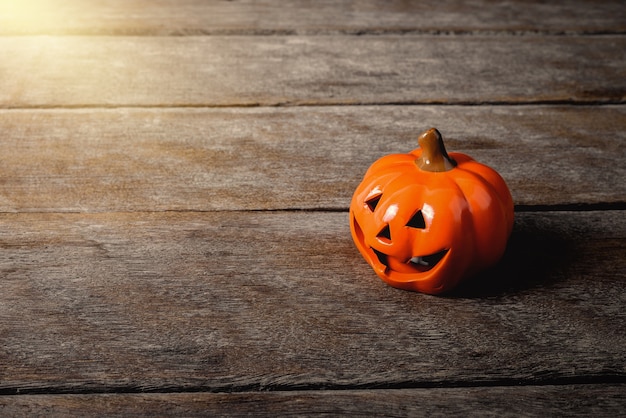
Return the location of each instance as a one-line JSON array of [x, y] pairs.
[[426, 220]]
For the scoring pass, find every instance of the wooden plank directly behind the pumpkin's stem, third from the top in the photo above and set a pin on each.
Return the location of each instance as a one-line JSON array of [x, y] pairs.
[[292, 158]]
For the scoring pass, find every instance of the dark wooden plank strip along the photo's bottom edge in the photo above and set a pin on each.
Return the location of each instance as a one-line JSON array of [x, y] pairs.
[[572, 400]]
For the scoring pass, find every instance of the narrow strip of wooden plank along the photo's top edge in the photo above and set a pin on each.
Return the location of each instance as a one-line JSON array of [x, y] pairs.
[[185, 17]]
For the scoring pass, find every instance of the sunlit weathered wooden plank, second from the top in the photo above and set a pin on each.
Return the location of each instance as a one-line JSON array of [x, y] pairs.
[[295, 70]]
